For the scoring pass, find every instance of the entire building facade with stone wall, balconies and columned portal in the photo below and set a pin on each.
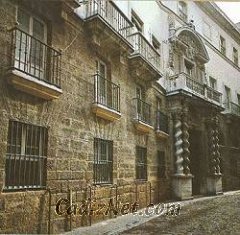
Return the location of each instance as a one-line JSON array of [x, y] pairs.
[[104, 105]]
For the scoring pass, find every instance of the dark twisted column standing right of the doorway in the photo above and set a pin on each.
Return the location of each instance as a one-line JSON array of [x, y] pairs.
[[214, 166]]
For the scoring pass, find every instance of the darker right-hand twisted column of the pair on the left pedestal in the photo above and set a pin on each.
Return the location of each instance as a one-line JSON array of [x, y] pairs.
[[186, 143]]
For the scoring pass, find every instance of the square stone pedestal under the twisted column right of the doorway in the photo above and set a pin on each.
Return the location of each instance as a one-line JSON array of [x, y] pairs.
[[214, 185]]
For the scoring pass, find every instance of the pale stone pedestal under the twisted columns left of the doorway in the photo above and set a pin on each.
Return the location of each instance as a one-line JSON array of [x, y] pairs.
[[182, 187]]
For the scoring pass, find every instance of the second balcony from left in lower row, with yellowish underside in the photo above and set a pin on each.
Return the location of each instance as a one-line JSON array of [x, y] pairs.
[[106, 99]]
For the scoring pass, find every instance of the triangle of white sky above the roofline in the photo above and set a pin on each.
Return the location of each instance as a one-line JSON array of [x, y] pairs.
[[231, 9]]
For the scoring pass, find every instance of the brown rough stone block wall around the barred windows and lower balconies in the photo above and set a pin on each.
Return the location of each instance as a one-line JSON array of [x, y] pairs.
[[72, 128]]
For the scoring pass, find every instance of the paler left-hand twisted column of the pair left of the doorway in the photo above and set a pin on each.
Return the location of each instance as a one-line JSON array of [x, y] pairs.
[[178, 142]]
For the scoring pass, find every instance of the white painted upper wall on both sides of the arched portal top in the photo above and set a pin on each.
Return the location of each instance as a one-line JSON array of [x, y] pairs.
[[155, 19]]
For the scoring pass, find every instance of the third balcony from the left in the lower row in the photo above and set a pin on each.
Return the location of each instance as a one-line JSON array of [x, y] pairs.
[[143, 116]]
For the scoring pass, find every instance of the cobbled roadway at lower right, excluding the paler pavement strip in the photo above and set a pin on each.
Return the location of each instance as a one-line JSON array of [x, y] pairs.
[[215, 216]]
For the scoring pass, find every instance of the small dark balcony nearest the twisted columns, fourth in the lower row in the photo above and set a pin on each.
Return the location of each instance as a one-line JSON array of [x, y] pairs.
[[162, 125]]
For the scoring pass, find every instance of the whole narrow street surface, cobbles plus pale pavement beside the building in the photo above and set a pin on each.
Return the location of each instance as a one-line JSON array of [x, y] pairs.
[[200, 216]]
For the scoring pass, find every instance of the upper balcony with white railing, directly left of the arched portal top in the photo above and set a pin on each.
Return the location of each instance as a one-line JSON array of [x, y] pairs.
[[145, 60]]
